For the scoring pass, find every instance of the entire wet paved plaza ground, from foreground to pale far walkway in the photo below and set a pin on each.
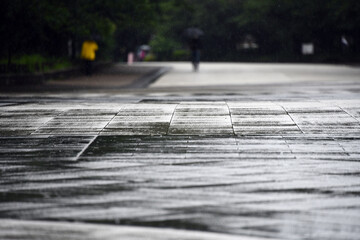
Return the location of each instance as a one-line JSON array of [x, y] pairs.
[[234, 151]]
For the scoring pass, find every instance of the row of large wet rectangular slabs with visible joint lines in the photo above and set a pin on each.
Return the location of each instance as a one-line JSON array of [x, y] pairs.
[[179, 118]]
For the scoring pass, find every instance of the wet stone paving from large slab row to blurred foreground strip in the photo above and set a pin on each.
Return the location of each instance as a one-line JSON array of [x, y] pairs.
[[282, 170]]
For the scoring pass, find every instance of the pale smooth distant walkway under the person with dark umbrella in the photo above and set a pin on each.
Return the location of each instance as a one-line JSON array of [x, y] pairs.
[[235, 74]]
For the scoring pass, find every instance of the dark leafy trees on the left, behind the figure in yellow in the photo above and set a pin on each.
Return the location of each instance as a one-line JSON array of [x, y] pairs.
[[46, 26]]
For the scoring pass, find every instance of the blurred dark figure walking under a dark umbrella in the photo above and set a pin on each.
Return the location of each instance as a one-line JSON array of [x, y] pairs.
[[195, 45]]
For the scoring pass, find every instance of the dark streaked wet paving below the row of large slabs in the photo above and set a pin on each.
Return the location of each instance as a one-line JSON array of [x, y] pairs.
[[259, 186]]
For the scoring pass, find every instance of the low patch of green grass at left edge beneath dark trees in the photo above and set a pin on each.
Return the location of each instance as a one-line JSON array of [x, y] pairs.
[[34, 63]]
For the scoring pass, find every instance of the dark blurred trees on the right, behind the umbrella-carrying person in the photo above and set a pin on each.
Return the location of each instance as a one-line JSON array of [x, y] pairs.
[[279, 27]]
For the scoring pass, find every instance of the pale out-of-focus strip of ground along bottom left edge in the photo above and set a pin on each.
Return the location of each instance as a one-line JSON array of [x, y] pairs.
[[34, 230]]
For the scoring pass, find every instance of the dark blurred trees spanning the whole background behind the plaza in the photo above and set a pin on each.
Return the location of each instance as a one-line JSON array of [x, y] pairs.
[[45, 28]]
